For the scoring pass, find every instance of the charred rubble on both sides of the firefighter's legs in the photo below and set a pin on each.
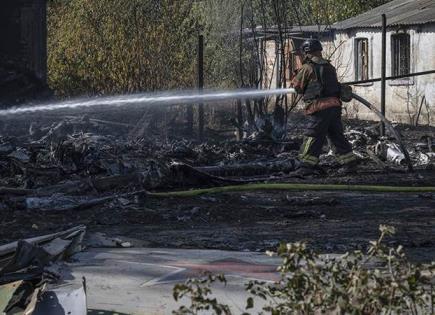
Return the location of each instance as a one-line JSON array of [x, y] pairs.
[[82, 162]]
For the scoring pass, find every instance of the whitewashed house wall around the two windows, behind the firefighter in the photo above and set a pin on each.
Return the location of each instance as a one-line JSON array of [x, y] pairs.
[[403, 97]]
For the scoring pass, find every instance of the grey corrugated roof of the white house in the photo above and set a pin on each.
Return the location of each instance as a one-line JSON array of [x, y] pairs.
[[398, 12]]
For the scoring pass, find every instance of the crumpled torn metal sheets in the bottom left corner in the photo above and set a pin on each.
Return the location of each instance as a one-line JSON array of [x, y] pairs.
[[34, 279]]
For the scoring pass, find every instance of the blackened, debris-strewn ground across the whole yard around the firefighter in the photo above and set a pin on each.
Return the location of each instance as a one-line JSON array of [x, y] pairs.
[[61, 169]]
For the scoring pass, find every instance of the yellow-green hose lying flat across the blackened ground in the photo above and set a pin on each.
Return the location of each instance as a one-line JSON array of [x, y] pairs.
[[294, 187]]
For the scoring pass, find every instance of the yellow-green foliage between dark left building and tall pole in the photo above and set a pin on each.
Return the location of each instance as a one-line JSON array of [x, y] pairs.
[[114, 46]]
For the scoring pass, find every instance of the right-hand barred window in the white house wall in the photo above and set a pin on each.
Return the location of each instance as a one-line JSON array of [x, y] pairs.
[[400, 54]]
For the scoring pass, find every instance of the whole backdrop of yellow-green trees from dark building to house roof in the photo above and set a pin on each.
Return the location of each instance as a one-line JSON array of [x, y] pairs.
[[114, 46]]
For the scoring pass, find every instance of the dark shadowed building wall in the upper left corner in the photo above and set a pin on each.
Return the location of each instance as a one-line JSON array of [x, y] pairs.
[[23, 34]]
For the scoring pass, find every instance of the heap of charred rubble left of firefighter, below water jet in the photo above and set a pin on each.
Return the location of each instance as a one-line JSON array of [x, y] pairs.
[[80, 162]]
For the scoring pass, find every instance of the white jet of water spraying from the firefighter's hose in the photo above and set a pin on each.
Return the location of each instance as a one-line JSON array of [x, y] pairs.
[[149, 99]]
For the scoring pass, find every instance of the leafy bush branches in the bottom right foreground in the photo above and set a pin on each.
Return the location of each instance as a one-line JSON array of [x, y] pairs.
[[382, 281]]
